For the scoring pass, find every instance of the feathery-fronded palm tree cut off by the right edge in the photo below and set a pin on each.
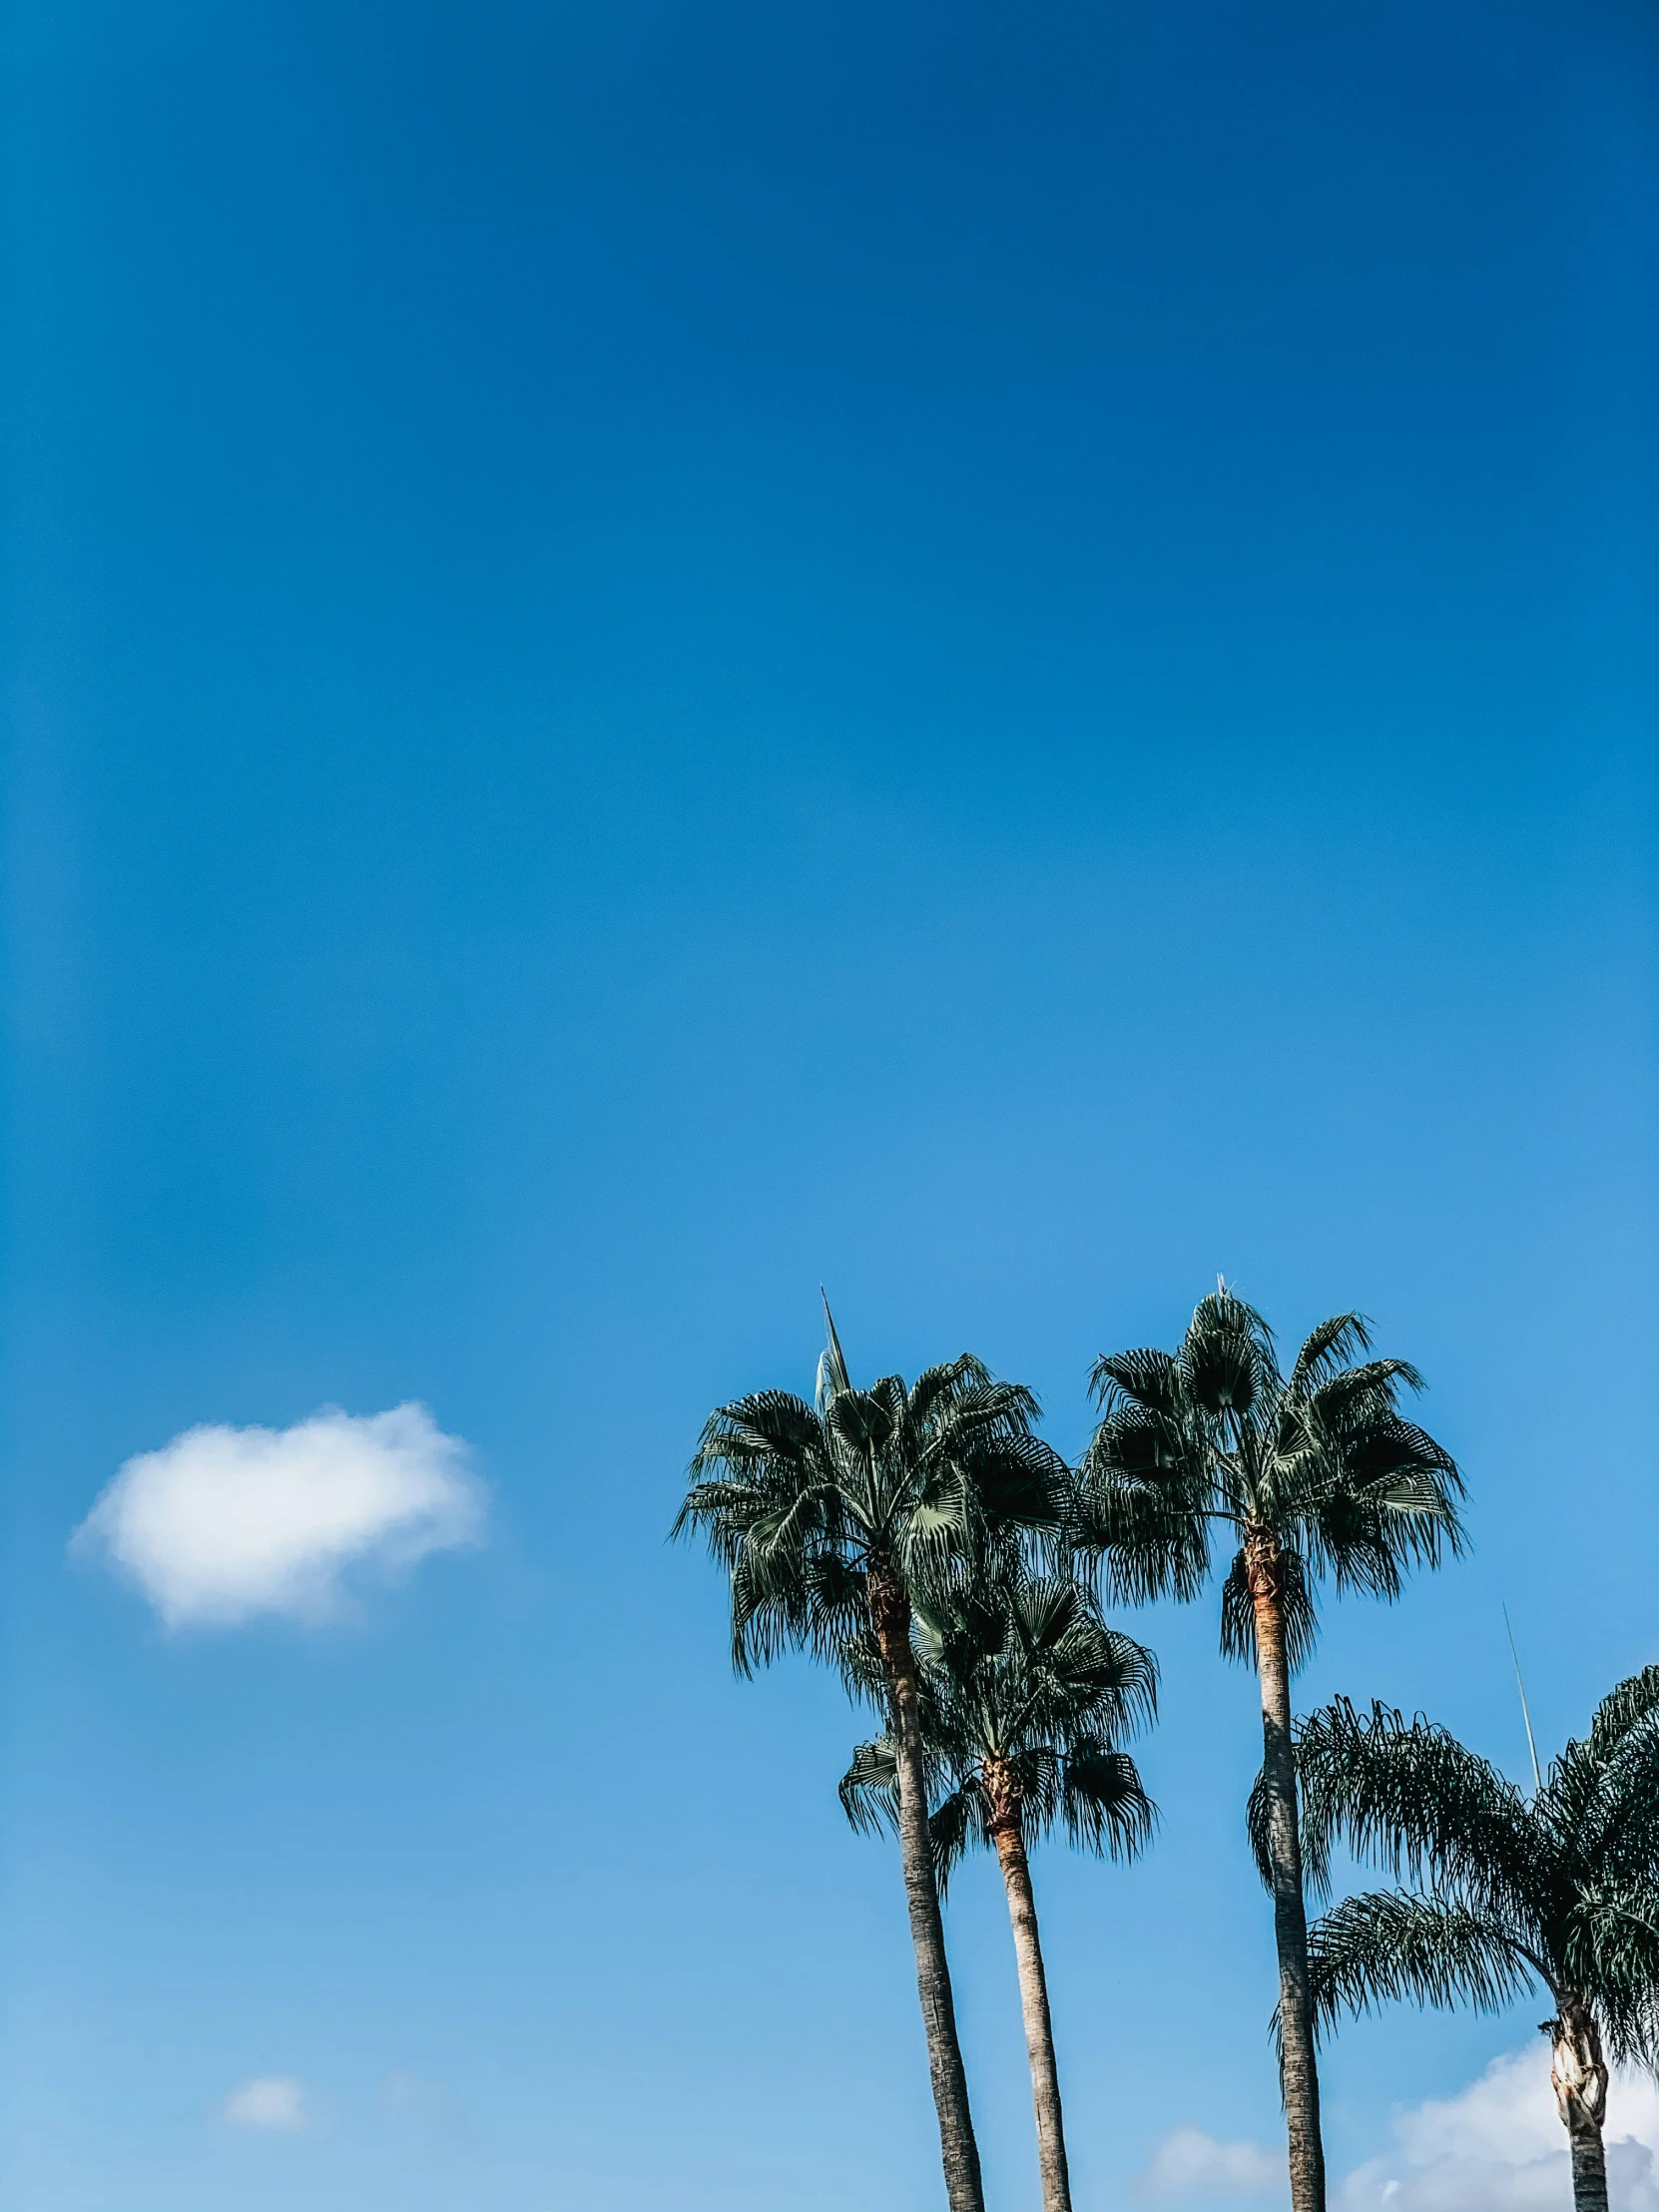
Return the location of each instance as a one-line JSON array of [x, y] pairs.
[[1561, 1888]]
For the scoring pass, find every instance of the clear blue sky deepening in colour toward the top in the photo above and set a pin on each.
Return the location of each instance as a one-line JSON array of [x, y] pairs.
[[997, 658]]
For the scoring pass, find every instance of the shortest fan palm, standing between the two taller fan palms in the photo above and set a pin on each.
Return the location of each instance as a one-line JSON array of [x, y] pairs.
[[1023, 1695]]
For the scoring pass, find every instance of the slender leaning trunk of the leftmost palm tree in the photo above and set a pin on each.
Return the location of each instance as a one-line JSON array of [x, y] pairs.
[[890, 1620]]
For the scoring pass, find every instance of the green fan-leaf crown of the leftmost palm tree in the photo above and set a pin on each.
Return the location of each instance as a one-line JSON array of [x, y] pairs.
[[802, 1503]]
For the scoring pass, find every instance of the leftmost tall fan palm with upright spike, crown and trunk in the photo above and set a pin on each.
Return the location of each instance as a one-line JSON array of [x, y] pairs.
[[831, 1519]]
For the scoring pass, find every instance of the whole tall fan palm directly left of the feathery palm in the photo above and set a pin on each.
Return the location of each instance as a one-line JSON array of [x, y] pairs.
[[1313, 1474]]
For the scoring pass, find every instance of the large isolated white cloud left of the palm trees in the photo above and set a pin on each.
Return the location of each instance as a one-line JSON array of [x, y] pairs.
[[225, 1523]]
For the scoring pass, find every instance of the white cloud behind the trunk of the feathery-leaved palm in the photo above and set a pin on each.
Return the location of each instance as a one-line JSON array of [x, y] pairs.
[[1499, 2147]]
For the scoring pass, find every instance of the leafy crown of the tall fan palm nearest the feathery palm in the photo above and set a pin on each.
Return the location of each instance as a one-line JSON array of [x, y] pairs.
[[1322, 1468]]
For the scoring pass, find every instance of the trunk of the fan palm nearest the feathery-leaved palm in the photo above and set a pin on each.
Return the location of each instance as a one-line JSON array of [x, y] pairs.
[[1297, 2065]]
